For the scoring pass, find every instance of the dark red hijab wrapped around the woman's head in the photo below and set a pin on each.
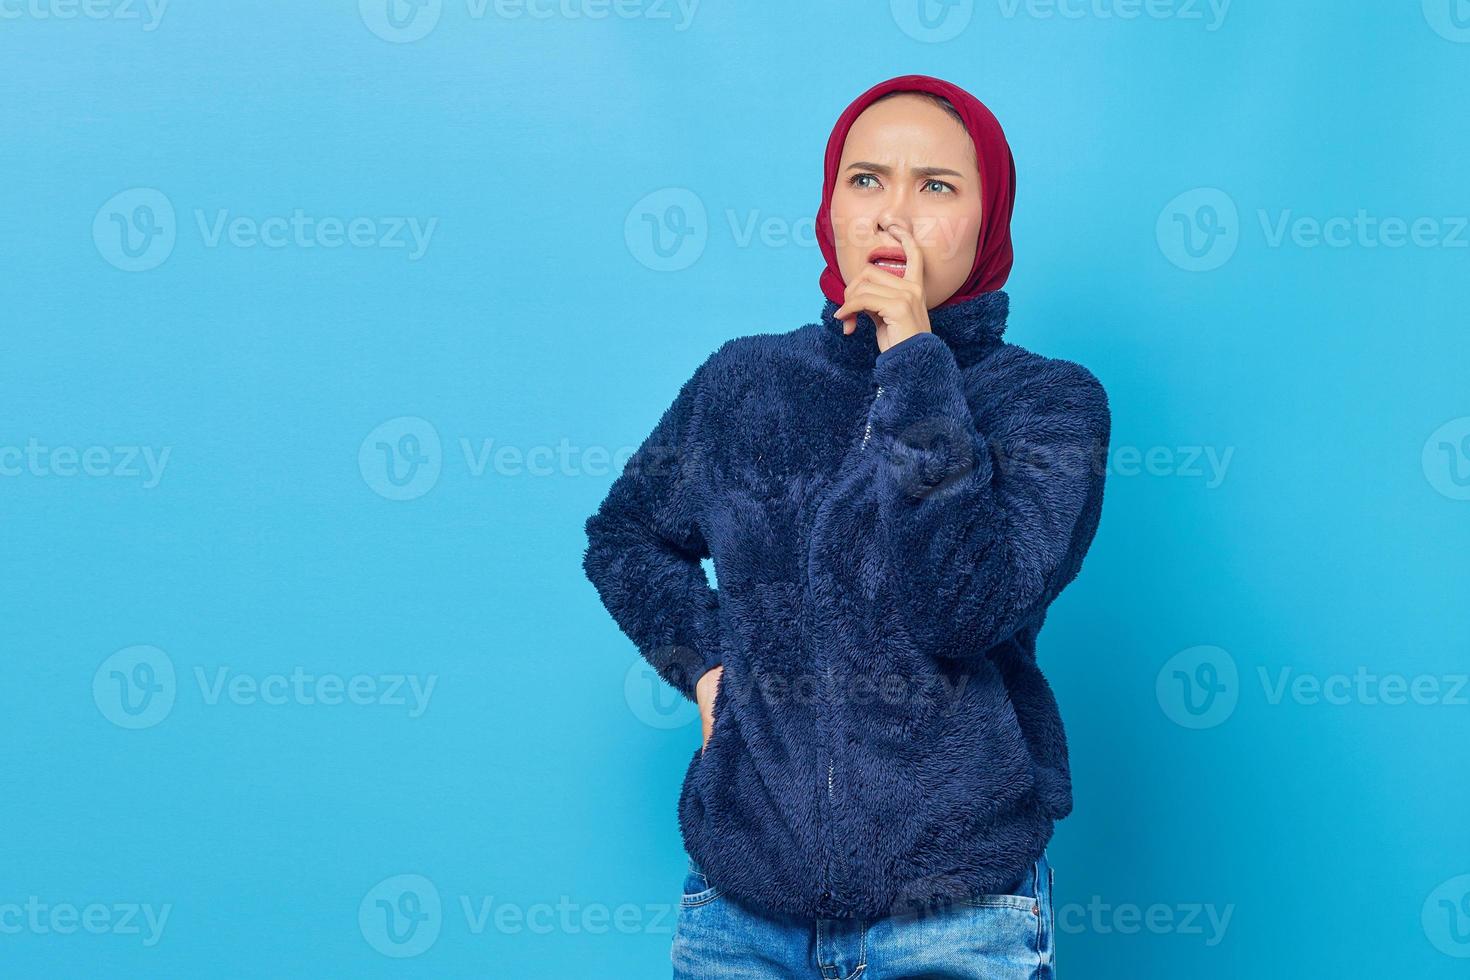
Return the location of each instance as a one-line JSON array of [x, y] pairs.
[[993, 259]]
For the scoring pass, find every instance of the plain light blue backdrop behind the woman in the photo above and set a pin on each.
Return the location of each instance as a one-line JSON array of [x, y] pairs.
[[543, 315]]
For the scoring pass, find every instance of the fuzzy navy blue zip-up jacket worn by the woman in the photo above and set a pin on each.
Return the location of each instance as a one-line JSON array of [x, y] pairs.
[[887, 531]]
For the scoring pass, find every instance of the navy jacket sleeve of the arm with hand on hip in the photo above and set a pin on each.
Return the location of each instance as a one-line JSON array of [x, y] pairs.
[[645, 549]]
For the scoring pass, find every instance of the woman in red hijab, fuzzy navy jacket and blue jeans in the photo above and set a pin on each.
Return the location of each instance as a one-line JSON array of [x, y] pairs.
[[893, 496]]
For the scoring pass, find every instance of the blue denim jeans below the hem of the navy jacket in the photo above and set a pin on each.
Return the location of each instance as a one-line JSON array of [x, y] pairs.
[[1005, 937]]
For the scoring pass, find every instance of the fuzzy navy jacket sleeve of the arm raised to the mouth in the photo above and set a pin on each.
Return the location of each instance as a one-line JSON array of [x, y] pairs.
[[980, 531]]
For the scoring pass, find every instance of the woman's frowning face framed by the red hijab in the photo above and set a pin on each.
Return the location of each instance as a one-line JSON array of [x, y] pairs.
[[908, 161]]
